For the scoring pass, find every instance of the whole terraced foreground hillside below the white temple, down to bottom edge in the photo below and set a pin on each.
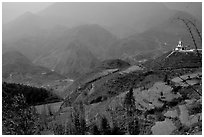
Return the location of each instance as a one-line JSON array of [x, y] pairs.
[[162, 98]]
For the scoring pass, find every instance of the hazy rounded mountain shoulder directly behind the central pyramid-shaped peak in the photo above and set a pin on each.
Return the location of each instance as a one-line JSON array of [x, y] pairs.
[[97, 39]]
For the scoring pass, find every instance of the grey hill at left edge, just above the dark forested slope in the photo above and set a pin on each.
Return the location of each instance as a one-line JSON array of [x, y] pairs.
[[17, 68]]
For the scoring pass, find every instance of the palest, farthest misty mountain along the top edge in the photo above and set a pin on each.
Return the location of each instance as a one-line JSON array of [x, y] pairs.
[[117, 16]]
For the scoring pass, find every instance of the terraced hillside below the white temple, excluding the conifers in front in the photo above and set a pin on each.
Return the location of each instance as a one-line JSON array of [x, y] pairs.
[[159, 99]]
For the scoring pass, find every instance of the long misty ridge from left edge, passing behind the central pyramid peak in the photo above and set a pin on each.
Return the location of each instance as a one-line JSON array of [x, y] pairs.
[[40, 43]]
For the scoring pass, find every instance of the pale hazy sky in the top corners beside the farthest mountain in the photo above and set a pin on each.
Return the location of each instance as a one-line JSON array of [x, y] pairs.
[[11, 10]]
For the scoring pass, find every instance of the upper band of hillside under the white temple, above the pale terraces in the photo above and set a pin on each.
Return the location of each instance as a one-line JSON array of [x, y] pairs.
[[110, 82]]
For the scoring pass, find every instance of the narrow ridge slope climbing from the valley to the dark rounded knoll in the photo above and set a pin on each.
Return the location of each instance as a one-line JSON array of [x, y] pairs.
[[102, 70]]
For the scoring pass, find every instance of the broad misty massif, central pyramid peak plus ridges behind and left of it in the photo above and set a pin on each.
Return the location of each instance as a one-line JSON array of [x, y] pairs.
[[53, 49]]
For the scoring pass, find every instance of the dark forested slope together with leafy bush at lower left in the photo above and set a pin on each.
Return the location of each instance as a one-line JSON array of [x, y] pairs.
[[18, 112]]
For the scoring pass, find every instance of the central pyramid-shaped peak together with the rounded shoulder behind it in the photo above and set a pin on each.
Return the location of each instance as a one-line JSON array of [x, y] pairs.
[[77, 50]]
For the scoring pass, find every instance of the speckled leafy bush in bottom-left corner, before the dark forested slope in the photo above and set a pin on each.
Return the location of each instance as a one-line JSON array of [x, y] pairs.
[[18, 117]]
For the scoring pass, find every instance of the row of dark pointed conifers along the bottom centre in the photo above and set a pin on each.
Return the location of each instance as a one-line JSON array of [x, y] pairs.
[[101, 126]]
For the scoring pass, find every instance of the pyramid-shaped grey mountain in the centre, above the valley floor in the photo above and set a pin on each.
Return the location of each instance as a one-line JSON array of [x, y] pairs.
[[73, 60]]
